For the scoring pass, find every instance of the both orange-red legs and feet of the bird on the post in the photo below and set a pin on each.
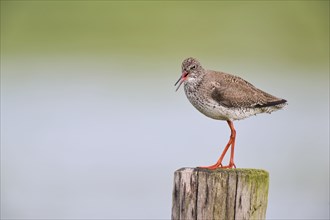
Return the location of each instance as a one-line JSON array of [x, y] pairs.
[[231, 143]]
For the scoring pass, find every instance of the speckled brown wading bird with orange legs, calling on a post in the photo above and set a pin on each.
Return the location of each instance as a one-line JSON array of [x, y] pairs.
[[223, 96]]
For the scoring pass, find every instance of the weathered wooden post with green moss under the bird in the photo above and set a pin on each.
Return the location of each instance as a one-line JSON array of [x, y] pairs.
[[220, 194]]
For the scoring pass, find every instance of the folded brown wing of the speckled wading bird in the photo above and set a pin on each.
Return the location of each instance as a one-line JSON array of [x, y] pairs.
[[234, 92]]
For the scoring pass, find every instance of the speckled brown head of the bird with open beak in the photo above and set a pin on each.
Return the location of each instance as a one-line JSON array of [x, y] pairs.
[[190, 69]]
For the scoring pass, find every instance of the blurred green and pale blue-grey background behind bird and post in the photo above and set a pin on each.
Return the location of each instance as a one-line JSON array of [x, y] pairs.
[[91, 127]]
